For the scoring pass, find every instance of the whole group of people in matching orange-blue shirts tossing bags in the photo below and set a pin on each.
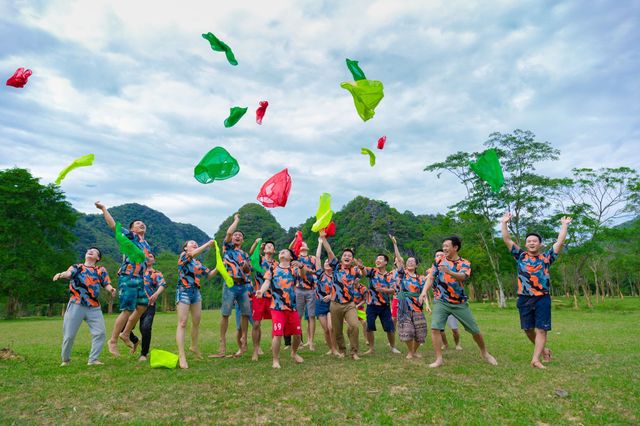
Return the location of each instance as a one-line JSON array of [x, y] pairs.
[[289, 285]]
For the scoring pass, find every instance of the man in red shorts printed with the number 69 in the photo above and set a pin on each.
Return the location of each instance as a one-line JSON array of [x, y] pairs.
[[281, 280]]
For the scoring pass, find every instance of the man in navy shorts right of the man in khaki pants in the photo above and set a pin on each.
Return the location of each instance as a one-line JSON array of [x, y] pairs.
[[381, 287]]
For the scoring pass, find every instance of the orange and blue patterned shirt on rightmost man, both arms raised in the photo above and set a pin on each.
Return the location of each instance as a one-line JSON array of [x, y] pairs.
[[533, 271]]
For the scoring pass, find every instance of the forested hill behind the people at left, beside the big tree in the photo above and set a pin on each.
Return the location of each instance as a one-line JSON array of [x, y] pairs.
[[163, 234]]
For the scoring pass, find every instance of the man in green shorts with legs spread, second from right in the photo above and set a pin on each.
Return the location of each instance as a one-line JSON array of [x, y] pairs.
[[447, 278]]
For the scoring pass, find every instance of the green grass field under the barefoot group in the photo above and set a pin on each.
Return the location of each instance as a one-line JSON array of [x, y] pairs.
[[596, 360]]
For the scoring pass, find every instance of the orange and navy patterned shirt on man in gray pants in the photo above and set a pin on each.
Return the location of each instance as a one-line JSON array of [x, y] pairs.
[[85, 284]]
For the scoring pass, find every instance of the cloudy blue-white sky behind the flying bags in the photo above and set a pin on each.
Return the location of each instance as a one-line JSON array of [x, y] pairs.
[[135, 84]]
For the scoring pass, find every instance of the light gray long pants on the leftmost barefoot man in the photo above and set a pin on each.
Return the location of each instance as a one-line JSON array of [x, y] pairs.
[[73, 317]]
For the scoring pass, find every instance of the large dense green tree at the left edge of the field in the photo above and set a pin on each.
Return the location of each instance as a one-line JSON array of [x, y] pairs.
[[35, 239]]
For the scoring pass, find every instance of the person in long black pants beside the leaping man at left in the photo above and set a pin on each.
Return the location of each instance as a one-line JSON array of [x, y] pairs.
[[154, 285]]
